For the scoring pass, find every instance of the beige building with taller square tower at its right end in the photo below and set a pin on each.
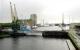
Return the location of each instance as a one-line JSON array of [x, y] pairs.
[[31, 22]]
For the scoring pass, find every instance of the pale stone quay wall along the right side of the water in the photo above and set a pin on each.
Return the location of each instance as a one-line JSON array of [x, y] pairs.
[[73, 36]]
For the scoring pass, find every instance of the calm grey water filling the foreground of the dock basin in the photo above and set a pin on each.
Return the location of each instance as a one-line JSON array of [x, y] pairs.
[[33, 43]]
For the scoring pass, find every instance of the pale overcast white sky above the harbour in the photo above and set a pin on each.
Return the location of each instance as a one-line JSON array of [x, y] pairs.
[[51, 11]]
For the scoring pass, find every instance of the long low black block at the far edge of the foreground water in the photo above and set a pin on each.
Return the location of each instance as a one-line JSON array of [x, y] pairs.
[[58, 34]]
